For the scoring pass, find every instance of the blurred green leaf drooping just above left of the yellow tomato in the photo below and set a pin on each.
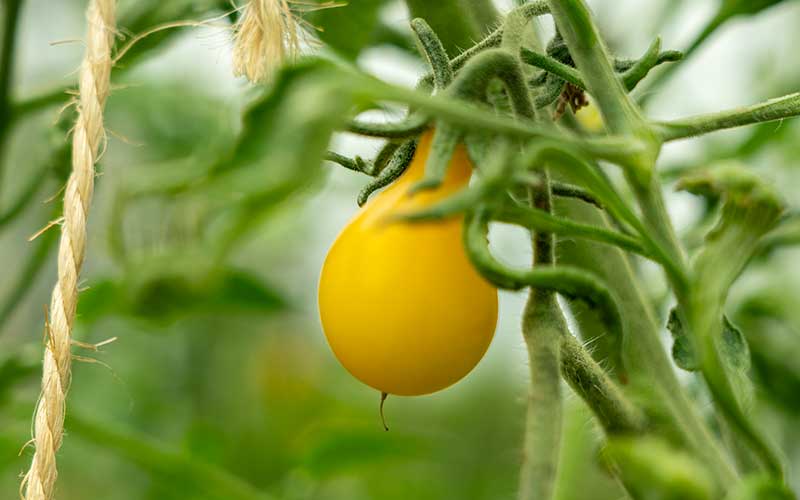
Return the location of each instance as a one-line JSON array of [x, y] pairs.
[[284, 137]]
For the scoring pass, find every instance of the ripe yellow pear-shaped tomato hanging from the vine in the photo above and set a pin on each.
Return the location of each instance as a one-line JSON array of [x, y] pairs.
[[401, 306]]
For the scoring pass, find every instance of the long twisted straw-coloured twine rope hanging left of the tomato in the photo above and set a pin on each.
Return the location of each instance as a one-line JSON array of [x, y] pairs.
[[93, 85]]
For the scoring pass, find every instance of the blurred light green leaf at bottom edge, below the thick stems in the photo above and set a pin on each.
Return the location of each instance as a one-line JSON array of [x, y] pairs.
[[651, 469]]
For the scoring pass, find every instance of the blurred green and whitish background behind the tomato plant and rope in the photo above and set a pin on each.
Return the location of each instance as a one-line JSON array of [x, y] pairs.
[[220, 382]]
